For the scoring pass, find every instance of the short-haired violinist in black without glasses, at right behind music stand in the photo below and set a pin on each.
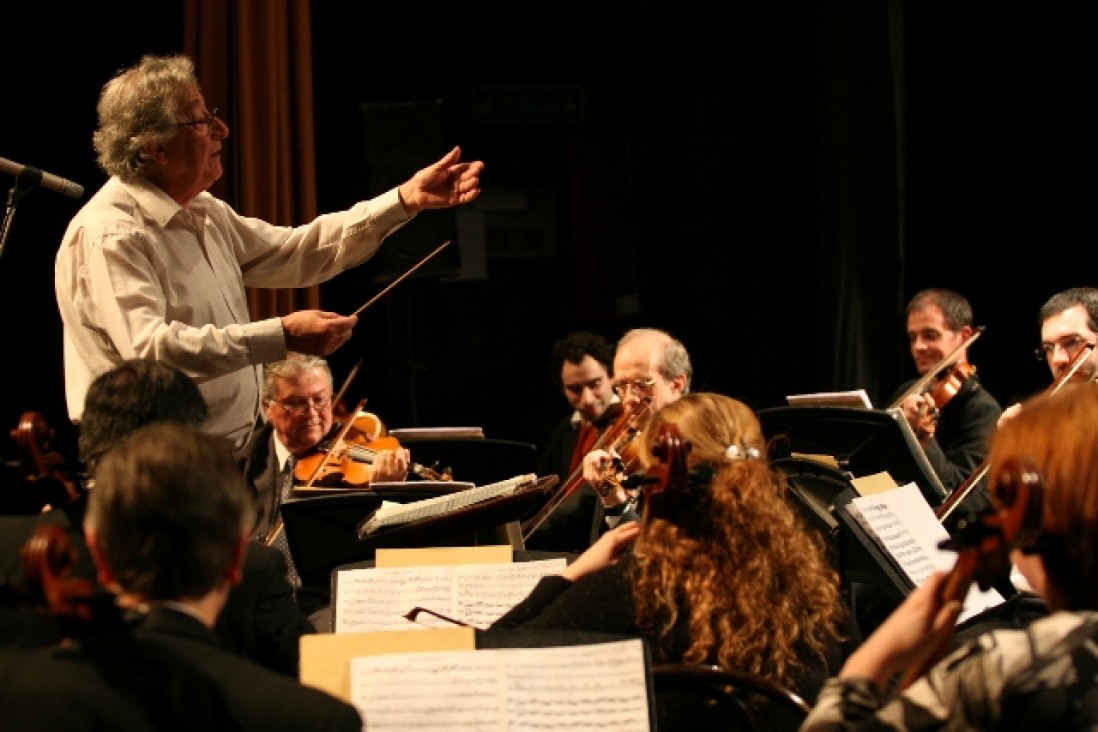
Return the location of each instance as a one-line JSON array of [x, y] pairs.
[[954, 435]]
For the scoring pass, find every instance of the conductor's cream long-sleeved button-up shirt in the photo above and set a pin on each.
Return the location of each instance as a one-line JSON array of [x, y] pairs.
[[138, 276]]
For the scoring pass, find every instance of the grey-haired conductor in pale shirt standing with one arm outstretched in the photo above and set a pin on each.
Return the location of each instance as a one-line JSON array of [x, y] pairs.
[[155, 267]]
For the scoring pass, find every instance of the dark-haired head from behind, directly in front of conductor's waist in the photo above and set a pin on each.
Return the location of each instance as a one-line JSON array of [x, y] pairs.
[[136, 393]]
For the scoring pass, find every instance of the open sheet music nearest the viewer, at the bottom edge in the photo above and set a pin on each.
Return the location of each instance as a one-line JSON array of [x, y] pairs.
[[593, 686]]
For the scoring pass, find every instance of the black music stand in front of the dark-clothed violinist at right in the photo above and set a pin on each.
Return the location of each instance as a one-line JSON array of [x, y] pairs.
[[862, 442]]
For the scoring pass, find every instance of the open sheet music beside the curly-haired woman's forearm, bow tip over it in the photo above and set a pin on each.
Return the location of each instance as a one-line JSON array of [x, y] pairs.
[[377, 599]]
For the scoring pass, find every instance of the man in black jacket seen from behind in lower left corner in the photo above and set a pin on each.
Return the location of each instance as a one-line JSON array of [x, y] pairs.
[[169, 526]]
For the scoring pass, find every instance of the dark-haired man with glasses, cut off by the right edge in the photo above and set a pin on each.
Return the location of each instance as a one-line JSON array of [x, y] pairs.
[[1069, 324]]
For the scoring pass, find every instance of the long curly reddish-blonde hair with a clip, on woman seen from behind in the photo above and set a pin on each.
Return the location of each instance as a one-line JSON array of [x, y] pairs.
[[732, 556]]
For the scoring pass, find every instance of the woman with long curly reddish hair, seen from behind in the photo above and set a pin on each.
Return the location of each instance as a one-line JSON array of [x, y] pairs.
[[722, 570]]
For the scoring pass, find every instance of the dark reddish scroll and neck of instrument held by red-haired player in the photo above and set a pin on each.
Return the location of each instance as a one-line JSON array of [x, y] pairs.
[[984, 546]]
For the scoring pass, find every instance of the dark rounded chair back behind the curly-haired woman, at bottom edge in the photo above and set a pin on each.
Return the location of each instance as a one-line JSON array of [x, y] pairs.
[[707, 697]]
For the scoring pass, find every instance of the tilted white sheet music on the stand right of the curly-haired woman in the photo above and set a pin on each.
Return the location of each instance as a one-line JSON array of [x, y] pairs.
[[906, 527]]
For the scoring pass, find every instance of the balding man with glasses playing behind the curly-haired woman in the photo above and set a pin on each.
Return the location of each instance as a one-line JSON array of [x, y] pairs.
[[652, 369]]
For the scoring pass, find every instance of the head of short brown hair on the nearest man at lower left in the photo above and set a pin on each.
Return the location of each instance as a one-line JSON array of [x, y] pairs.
[[169, 512]]
